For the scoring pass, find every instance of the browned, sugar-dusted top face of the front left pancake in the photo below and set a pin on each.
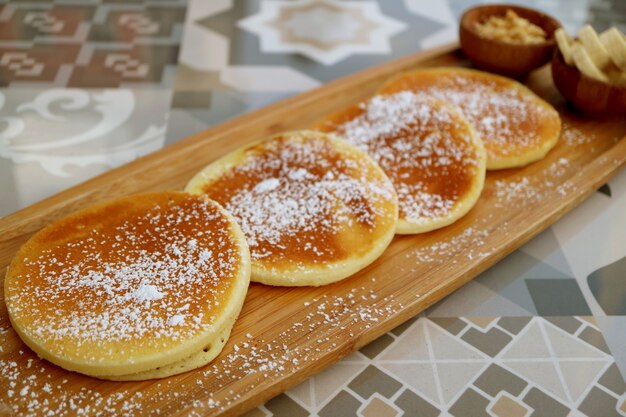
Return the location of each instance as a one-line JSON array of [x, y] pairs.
[[155, 277]]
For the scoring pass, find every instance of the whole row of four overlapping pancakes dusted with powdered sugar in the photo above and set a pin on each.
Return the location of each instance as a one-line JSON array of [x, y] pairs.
[[150, 285]]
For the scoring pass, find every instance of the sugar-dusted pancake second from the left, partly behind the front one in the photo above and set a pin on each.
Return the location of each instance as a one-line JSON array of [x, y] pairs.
[[314, 208]]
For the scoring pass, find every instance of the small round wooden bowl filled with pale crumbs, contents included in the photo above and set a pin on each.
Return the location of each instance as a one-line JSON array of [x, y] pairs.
[[503, 38]]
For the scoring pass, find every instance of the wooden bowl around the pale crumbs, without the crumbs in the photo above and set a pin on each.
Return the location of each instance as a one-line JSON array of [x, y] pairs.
[[503, 57]]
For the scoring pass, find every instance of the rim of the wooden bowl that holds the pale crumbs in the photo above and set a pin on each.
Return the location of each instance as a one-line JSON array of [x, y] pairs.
[[465, 24]]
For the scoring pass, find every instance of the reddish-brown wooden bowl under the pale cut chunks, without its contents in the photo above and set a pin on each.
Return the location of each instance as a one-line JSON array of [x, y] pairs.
[[585, 93]]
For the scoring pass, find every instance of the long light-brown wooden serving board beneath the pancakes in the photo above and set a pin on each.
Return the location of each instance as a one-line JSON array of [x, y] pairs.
[[285, 335]]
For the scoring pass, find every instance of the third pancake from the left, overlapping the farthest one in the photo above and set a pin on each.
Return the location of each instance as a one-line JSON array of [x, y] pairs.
[[426, 147]]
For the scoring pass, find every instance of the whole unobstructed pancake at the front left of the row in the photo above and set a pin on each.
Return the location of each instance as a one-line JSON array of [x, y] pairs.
[[130, 285]]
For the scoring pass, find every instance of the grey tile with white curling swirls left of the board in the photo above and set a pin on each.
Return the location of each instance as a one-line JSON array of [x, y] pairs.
[[109, 127]]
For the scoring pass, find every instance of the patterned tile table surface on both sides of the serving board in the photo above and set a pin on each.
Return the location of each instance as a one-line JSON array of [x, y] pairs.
[[87, 86]]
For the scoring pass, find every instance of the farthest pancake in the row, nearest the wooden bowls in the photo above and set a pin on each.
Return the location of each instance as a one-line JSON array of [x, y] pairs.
[[516, 126]]
